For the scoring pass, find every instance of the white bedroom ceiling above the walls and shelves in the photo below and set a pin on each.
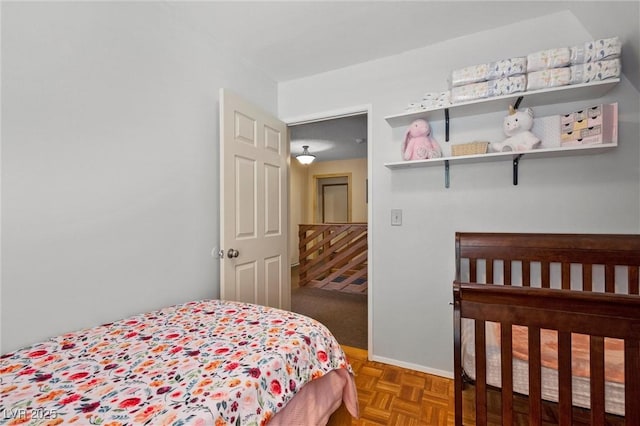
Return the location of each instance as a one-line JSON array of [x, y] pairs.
[[293, 39]]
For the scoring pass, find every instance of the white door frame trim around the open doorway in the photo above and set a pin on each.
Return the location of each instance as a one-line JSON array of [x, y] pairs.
[[341, 113]]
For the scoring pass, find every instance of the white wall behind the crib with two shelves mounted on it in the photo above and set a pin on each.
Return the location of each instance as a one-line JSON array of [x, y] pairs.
[[413, 265]]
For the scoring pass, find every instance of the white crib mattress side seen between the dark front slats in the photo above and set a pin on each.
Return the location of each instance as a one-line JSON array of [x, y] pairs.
[[614, 391]]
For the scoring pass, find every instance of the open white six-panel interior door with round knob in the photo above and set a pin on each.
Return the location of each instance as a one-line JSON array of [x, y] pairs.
[[254, 155]]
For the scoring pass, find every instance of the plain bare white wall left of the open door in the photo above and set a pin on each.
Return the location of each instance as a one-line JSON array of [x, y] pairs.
[[109, 163]]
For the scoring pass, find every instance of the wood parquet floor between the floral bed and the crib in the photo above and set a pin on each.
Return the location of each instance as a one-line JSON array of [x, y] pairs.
[[390, 395]]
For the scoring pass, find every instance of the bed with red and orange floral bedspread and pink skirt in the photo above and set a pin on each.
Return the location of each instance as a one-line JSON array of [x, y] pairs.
[[206, 362]]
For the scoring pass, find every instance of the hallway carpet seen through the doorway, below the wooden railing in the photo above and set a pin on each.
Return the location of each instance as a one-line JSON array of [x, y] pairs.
[[344, 314]]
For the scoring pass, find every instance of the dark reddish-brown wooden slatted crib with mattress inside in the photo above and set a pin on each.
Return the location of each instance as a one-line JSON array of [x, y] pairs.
[[547, 329]]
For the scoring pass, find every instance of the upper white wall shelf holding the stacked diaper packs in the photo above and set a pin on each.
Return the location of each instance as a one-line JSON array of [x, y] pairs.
[[554, 95]]
